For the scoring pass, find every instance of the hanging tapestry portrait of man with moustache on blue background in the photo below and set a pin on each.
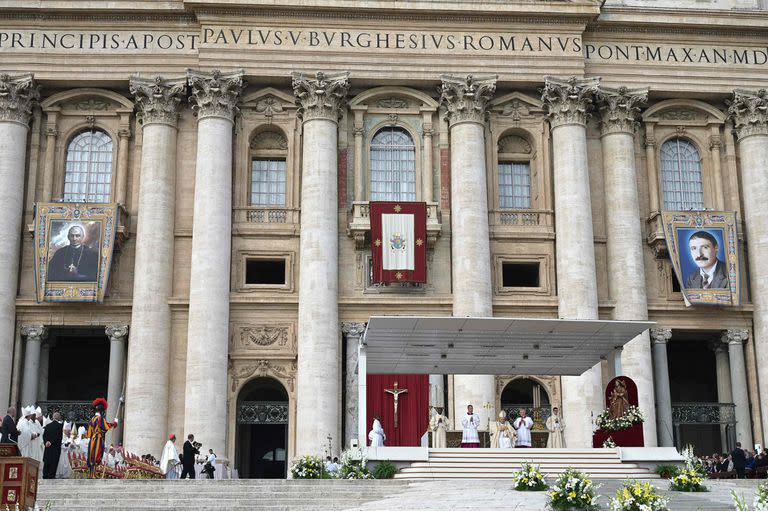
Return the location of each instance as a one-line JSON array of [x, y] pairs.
[[704, 249]]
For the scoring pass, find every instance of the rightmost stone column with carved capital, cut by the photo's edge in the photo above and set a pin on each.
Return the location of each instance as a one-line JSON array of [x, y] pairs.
[[749, 112]]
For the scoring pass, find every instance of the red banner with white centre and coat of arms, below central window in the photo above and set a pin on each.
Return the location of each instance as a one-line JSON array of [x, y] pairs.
[[399, 241]]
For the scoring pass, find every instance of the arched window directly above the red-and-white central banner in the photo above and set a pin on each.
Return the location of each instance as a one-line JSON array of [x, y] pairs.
[[393, 165]]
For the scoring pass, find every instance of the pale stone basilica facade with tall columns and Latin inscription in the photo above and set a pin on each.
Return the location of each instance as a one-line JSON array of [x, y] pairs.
[[192, 93]]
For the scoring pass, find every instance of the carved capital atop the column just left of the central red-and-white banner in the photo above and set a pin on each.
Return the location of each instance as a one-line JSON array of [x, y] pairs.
[[320, 96]]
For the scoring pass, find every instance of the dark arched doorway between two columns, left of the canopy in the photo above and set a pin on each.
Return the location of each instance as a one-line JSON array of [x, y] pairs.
[[261, 446]]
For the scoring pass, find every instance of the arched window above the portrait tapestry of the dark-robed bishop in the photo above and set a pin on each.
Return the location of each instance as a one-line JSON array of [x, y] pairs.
[[88, 168]]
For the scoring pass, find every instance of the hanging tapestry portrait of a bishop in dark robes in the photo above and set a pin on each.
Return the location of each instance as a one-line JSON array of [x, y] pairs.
[[73, 250]]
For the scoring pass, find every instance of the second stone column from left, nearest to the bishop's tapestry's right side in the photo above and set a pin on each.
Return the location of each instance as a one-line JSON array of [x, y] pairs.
[[146, 405]]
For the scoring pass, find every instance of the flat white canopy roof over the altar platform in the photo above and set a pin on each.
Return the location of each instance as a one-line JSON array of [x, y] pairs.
[[452, 345]]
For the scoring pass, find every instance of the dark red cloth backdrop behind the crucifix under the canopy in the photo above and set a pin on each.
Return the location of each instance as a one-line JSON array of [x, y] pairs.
[[412, 407]]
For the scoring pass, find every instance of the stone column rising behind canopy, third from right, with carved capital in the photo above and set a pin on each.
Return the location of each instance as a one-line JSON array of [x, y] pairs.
[[567, 102]]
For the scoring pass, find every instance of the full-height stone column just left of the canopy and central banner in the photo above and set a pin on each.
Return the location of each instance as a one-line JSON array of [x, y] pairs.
[[321, 99]]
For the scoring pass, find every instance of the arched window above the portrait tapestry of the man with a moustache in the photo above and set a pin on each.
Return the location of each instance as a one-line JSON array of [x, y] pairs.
[[681, 175]]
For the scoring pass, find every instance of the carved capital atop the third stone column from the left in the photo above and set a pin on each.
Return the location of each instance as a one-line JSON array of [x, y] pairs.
[[215, 94]]
